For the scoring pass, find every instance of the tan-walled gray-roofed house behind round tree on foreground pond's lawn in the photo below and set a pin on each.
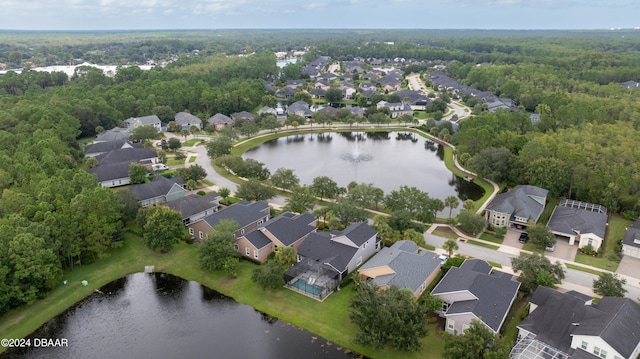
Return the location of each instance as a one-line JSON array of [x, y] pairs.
[[248, 215]]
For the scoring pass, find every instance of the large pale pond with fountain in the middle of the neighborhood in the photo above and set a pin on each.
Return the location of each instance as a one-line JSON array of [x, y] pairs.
[[386, 159]]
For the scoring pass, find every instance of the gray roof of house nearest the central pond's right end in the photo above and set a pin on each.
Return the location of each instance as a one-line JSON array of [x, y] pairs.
[[520, 202]]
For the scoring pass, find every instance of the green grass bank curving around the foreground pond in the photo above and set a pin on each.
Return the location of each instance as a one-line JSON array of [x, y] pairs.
[[329, 319]]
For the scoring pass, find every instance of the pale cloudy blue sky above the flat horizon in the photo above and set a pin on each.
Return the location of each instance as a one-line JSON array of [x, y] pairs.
[[286, 14]]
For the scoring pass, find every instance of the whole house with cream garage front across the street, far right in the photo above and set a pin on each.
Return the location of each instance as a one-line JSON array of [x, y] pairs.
[[578, 221]]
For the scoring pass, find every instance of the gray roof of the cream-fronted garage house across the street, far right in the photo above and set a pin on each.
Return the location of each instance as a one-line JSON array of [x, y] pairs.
[[571, 220]]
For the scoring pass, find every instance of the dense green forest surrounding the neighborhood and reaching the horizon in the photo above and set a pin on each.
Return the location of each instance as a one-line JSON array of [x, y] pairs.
[[53, 215]]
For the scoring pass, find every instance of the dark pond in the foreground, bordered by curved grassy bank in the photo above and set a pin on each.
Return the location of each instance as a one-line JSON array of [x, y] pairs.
[[161, 316]]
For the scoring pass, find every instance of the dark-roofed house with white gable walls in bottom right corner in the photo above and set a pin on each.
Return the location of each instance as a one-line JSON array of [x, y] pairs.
[[566, 325]]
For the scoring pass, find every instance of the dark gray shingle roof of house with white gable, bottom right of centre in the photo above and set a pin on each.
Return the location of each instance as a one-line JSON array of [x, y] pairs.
[[494, 292]]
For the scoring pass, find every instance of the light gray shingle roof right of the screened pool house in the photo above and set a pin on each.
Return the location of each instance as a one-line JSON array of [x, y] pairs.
[[411, 268]]
